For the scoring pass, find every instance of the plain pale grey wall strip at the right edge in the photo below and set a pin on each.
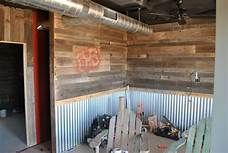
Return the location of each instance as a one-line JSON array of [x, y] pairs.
[[220, 113]]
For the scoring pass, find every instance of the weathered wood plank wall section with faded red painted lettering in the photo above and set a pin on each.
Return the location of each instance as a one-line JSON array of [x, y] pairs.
[[99, 44]]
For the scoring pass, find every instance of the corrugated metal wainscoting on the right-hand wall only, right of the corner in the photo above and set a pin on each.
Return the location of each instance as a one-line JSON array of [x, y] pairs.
[[182, 110]]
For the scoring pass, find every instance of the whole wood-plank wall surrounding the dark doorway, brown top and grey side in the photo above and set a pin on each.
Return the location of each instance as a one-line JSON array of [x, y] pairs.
[[16, 27]]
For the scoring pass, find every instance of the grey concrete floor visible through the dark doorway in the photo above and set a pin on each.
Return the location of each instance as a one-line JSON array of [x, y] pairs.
[[12, 133]]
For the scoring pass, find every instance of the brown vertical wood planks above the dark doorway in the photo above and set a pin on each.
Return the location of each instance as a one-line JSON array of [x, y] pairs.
[[16, 26]]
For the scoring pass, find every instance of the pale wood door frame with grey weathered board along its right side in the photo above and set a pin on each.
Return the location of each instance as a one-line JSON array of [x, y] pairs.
[[30, 124]]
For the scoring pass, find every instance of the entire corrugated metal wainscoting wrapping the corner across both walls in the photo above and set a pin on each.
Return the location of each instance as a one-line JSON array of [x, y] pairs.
[[73, 120]]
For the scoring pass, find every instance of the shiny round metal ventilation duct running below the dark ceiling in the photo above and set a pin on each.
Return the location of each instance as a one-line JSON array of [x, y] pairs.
[[87, 8]]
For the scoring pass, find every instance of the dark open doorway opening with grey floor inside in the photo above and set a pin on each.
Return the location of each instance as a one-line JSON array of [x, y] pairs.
[[12, 98]]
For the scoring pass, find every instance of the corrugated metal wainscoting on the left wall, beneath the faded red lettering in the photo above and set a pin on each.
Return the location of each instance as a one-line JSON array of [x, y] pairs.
[[73, 120]]
